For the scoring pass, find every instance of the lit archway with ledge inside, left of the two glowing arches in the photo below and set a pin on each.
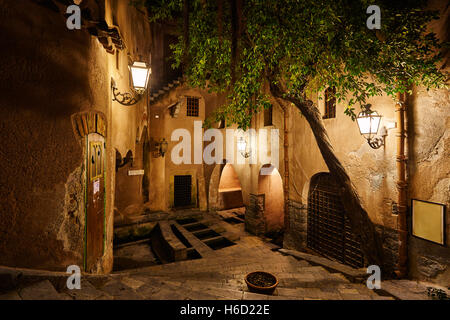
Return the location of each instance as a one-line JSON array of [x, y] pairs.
[[225, 191]]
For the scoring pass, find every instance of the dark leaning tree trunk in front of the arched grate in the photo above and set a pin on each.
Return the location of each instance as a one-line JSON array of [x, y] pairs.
[[359, 220]]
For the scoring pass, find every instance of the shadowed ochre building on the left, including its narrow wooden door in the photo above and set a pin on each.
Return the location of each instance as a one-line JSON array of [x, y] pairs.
[[56, 104]]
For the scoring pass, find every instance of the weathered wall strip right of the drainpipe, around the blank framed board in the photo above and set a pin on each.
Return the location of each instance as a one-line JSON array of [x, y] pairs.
[[429, 176]]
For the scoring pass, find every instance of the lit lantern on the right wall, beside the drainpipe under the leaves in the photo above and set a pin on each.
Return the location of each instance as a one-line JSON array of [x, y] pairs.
[[368, 124]]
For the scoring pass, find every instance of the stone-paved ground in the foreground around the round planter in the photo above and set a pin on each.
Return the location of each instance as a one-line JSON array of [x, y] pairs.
[[218, 275]]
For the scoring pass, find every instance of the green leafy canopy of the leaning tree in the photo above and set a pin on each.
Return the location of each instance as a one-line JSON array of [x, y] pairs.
[[307, 45]]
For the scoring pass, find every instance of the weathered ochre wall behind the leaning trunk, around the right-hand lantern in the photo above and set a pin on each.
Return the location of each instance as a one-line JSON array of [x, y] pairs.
[[373, 172]]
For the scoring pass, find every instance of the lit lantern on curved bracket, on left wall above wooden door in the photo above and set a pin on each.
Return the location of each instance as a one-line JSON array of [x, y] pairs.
[[140, 74]]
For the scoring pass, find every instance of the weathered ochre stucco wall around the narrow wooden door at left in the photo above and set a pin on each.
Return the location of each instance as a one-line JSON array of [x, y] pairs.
[[48, 74]]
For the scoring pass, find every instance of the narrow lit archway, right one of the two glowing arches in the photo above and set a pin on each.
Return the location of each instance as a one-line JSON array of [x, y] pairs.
[[271, 185]]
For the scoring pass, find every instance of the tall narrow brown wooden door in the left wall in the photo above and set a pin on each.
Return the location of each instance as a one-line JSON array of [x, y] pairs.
[[95, 198]]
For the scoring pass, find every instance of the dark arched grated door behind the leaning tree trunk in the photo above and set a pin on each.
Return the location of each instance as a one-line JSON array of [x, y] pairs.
[[328, 230]]
